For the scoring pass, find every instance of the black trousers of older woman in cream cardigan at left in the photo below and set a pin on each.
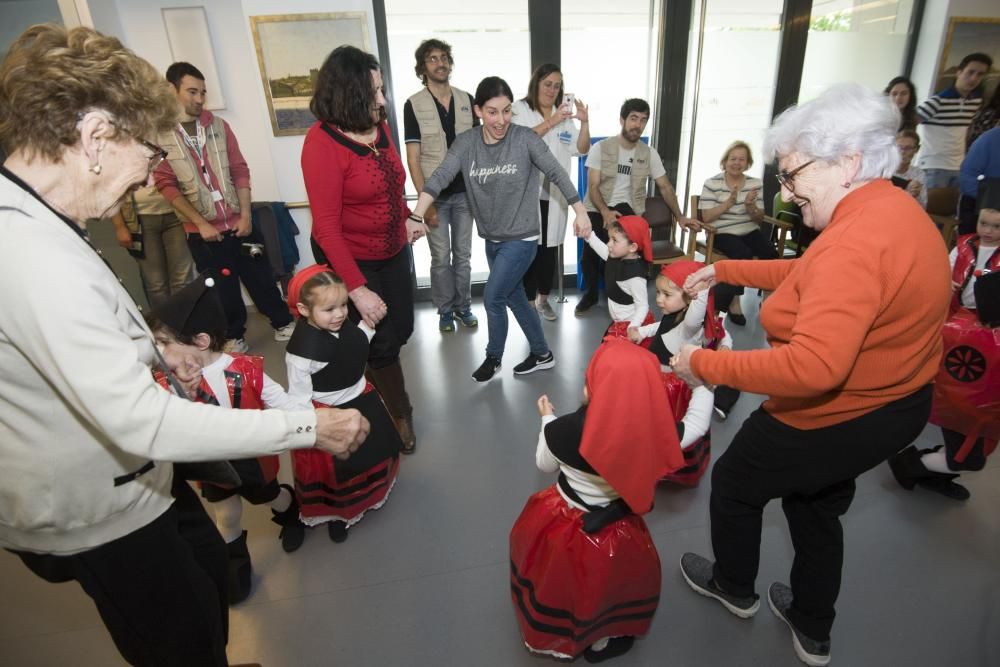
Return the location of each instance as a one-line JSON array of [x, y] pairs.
[[161, 590]]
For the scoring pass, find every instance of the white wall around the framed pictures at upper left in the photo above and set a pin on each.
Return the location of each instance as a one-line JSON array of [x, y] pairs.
[[274, 161]]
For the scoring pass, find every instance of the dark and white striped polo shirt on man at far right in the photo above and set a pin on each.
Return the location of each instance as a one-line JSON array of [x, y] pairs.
[[944, 119]]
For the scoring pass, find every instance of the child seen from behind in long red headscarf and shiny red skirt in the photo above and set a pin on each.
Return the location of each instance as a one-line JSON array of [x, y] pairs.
[[585, 574]]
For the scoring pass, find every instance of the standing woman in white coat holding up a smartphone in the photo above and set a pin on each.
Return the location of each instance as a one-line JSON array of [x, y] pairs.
[[549, 113]]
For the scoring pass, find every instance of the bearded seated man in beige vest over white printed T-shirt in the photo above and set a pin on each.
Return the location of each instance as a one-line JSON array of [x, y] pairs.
[[617, 171]]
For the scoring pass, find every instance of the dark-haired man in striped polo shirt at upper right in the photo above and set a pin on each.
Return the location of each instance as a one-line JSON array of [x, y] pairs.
[[944, 118]]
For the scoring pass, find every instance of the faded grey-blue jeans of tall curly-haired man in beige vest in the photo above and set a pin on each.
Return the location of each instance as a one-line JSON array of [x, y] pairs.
[[451, 249]]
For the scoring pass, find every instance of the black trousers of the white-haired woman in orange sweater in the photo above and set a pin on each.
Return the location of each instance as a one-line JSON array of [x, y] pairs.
[[813, 473]]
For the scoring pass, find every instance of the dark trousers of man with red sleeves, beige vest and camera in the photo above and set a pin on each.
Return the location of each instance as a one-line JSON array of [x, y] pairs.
[[255, 273]]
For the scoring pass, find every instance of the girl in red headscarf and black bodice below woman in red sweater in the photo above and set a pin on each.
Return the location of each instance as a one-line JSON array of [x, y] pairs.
[[326, 359]]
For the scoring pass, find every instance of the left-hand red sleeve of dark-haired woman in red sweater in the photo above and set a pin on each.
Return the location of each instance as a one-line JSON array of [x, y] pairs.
[[323, 170]]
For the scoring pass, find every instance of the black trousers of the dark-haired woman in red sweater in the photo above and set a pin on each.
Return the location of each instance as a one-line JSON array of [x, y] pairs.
[[392, 280]]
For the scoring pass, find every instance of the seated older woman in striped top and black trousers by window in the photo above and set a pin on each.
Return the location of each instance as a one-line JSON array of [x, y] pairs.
[[732, 203]]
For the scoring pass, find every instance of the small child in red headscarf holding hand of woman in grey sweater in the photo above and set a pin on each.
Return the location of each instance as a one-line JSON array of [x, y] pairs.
[[627, 254]]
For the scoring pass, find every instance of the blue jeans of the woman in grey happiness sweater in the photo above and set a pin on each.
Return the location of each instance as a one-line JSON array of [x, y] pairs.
[[509, 261]]
